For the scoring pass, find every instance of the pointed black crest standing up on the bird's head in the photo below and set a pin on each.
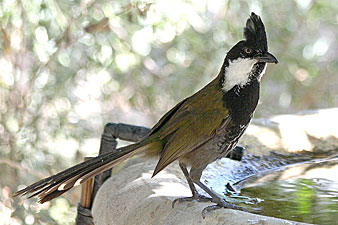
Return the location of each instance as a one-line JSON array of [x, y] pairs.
[[254, 32]]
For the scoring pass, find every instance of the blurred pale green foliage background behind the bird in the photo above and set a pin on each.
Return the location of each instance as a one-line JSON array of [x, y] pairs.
[[69, 67]]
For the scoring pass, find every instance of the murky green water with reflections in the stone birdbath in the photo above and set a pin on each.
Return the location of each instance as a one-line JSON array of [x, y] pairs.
[[304, 200]]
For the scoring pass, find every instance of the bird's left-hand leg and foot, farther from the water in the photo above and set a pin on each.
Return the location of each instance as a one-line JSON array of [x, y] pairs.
[[195, 195]]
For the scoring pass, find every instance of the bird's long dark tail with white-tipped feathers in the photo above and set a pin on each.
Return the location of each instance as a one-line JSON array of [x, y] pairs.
[[54, 186]]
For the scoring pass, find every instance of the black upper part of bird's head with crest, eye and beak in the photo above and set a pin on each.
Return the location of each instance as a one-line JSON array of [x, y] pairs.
[[255, 45]]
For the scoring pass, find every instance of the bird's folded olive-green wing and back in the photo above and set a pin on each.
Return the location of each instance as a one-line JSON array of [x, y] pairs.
[[193, 123]]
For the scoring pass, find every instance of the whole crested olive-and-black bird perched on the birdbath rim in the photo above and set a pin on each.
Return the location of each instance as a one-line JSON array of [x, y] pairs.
[[199, 130]]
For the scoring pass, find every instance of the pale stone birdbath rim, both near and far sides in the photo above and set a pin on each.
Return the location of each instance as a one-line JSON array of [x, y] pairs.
[[132, 197]]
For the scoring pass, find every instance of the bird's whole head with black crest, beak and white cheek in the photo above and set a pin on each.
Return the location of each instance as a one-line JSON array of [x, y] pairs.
[[248, 58]]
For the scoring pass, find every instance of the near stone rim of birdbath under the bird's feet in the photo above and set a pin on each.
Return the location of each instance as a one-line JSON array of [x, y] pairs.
[[132, 197]]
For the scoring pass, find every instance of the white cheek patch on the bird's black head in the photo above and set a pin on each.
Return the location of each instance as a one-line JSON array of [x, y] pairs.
[[237, 73]]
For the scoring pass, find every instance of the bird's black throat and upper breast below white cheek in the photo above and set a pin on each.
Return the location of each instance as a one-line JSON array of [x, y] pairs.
[[242, 101]]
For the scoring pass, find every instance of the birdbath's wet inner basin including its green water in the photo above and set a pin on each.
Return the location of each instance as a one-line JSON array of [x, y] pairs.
[[299, 187]]
